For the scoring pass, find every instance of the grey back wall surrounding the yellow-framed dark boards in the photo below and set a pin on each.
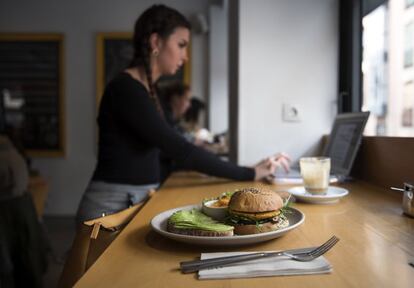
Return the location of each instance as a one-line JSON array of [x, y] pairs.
[[79, 21]]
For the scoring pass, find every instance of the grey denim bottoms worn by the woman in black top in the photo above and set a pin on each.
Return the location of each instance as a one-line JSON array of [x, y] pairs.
[[101, 198]]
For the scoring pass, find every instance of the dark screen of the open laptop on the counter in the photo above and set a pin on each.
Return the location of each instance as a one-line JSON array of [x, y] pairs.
[[344, 141]]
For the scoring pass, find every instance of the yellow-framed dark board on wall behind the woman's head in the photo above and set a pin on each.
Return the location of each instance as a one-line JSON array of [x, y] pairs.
[[114, 52]]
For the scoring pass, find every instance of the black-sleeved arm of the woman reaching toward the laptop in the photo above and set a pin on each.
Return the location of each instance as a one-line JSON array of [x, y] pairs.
[[137, 113]]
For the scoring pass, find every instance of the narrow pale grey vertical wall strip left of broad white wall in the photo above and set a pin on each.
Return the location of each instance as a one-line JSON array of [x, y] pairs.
[[218, 99]]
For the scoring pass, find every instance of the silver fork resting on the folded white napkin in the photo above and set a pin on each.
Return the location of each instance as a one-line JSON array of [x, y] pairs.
[[309, 255]]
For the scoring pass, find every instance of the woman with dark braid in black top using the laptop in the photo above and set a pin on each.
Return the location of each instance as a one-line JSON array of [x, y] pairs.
[[132, 128]]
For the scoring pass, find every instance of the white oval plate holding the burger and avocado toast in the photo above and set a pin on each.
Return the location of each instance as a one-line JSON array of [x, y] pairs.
[[159, 224]]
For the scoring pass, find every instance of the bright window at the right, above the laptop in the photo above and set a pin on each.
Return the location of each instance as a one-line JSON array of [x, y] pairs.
[[388, 68]]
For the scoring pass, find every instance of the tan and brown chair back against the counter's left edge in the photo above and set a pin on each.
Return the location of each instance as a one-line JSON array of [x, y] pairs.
[[91, 240]]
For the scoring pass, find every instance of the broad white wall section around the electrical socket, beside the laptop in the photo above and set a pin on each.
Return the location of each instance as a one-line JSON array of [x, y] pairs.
[[288, 54]]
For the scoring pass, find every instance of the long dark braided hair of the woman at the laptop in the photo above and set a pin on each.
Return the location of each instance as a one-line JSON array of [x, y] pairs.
[[161, 20]]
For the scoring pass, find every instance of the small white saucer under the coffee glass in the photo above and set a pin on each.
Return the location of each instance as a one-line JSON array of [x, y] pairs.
[[333, 194]]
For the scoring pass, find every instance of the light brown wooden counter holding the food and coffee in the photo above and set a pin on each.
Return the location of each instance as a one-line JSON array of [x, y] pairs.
[[376, 246]]
